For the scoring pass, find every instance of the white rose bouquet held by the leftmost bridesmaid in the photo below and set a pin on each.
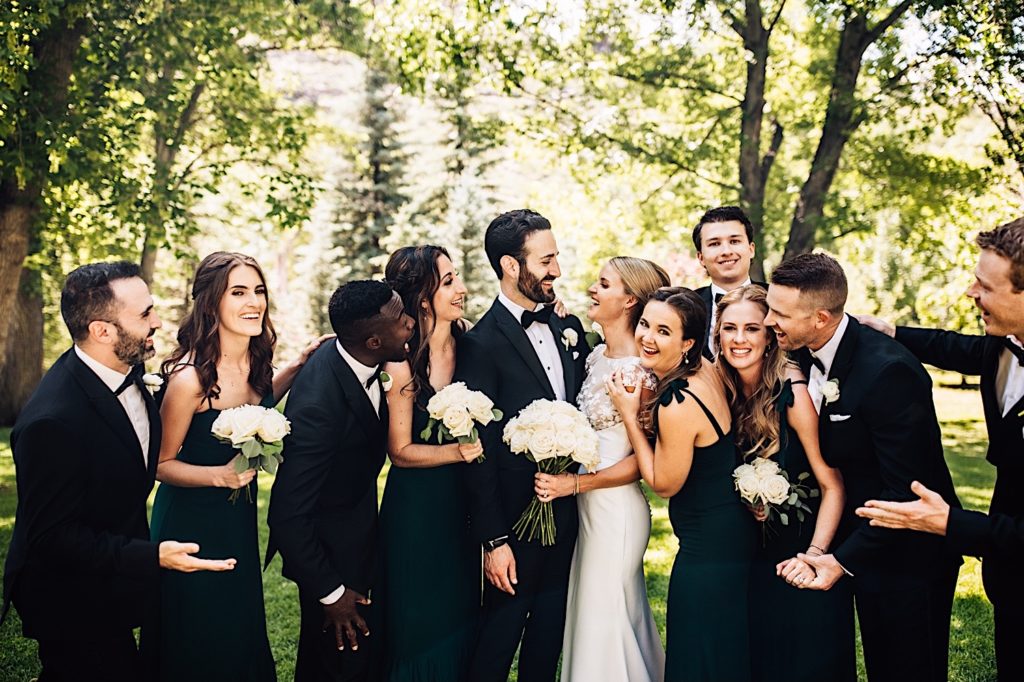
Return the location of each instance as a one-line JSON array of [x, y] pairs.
[[259, 434]]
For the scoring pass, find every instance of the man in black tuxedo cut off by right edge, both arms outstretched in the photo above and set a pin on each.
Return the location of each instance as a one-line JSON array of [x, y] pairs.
[[999, 358]]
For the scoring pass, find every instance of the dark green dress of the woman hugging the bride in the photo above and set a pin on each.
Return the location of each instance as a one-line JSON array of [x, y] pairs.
[[707, 619]]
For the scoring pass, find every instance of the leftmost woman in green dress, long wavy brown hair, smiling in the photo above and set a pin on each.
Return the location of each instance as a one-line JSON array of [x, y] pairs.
[[214, 627]]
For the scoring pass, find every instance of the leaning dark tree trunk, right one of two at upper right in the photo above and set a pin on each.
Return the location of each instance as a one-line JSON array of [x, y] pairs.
[[842, 119]]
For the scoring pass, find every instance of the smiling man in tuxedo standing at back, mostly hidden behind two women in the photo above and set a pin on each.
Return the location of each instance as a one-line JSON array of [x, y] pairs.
[[724, 240]]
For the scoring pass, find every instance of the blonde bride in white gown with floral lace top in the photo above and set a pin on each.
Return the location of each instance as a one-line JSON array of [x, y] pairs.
[[611, 633]]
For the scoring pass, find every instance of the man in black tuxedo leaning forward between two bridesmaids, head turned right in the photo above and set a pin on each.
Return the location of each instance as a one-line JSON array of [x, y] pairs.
[[323, 514]]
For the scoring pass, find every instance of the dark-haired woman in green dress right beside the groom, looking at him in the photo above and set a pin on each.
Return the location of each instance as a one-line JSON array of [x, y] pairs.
[[431, 588]]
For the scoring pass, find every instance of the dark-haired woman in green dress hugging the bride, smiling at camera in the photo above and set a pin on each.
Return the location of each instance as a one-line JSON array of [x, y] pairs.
[[692, 463]]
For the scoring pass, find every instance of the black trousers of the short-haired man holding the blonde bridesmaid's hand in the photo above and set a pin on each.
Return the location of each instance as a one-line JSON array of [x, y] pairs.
[[906, 629]]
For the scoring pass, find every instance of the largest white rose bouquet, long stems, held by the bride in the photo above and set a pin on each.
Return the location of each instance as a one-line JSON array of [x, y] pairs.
[[553, 435]]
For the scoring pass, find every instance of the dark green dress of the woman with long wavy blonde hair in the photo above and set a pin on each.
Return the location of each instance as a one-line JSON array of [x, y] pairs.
[[797, 635]]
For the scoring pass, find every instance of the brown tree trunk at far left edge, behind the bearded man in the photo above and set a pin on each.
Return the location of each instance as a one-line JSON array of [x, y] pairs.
[[55, 53]]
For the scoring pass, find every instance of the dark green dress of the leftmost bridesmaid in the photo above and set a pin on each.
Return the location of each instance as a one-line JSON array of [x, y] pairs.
[[212, 625]]
